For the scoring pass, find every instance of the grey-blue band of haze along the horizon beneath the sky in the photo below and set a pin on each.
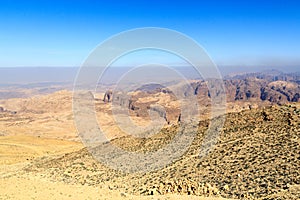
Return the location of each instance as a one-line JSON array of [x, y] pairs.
[[29, 75]]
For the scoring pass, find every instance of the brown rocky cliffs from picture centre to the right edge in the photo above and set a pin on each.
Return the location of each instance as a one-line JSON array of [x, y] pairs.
[[242, 92]]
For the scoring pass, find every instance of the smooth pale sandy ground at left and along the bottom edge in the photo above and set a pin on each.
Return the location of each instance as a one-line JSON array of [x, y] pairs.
[[43, 128]]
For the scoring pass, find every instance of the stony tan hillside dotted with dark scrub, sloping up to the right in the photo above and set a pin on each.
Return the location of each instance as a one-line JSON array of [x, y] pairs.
[[256, 157]]
